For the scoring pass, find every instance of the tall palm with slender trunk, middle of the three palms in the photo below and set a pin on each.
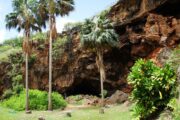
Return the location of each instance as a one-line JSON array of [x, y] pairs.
[[51, 9]]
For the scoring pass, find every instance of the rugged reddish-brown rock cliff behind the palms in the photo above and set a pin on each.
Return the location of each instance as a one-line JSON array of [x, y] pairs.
[[145, 27]]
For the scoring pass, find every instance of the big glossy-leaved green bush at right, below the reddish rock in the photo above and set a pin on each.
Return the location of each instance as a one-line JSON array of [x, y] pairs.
[[153, 87]]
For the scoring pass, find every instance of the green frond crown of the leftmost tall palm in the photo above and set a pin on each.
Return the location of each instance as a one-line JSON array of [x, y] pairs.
[[24, 16]]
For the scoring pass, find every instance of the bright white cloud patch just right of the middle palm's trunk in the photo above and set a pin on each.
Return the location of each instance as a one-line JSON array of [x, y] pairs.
[[60, 22]]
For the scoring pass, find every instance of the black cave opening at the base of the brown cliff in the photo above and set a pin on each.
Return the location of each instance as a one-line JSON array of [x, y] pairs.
[[86, 87]]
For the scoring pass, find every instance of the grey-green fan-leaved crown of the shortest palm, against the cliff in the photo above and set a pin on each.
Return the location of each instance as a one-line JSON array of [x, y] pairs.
[[98, 33]]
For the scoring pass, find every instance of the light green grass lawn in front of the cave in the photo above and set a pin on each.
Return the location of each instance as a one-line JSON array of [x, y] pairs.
[[119, 112]]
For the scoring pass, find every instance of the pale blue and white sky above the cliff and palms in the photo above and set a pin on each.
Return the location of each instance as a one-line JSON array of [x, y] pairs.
[[83, 9]]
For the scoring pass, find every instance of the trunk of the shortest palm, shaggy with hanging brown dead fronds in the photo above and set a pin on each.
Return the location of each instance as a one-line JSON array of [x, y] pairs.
[[100, 65]]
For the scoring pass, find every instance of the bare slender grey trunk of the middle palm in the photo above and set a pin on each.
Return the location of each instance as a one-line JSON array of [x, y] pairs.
[[50, 65]]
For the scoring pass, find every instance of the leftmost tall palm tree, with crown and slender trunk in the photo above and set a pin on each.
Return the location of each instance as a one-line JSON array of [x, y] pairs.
[[24, 18]]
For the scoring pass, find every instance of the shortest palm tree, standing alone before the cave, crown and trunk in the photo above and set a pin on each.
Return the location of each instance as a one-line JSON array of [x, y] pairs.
[[98, 34]]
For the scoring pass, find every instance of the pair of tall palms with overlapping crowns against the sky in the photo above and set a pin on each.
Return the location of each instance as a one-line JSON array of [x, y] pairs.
[[32, 15]]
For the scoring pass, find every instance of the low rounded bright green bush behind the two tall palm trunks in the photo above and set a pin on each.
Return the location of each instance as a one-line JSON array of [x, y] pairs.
[[38, 100]]
